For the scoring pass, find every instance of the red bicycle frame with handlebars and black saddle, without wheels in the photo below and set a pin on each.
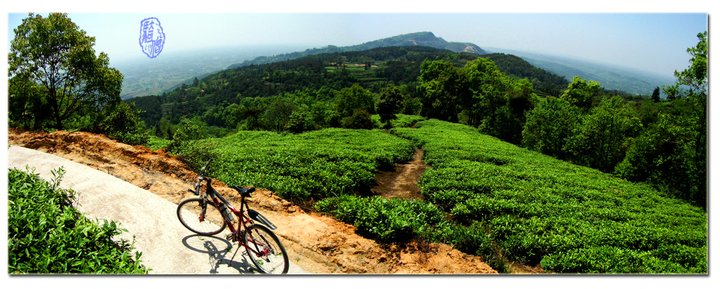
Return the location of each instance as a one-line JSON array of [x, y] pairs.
[[243, 221]]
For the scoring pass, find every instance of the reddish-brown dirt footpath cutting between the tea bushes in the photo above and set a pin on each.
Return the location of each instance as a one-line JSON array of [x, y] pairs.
[[401, 182]]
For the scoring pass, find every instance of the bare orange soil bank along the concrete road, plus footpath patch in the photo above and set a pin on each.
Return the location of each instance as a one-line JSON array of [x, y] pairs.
[[315, 242]]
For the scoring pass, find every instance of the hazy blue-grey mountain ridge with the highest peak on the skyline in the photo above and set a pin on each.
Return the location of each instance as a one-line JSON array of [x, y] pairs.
[[427, 39]]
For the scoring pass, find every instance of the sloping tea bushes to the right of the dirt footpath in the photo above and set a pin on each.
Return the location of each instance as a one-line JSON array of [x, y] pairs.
[[541, 210]]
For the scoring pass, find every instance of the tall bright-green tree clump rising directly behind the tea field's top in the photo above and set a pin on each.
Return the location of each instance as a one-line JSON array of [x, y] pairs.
[[478, 94]]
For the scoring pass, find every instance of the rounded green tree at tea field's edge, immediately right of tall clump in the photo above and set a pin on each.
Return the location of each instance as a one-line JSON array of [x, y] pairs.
[[548, 126]]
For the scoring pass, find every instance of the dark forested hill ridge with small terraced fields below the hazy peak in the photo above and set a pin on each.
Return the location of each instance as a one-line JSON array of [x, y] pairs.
[[316, 75]]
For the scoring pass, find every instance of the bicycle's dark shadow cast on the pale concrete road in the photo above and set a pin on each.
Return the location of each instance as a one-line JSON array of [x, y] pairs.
[[217, 250]]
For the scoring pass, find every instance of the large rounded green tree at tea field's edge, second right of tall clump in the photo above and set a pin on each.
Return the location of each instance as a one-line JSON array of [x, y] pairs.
[[603, 136]]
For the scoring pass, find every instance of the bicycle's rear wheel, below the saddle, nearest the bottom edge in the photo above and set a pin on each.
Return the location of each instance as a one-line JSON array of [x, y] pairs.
[[266, 251]]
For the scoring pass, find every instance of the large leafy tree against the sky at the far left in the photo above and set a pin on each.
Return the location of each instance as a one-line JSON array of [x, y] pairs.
[[55, 55]]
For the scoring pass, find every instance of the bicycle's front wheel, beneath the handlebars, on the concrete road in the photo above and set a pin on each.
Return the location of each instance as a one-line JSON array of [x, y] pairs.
[[190, 213]]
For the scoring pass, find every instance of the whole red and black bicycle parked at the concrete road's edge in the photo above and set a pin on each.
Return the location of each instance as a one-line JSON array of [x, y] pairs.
[[210, 213]]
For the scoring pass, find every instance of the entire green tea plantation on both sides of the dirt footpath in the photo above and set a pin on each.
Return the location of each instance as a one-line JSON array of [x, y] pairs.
[[482, 195]]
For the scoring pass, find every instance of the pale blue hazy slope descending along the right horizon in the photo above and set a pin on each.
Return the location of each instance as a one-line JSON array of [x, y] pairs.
[[610, 77]]
